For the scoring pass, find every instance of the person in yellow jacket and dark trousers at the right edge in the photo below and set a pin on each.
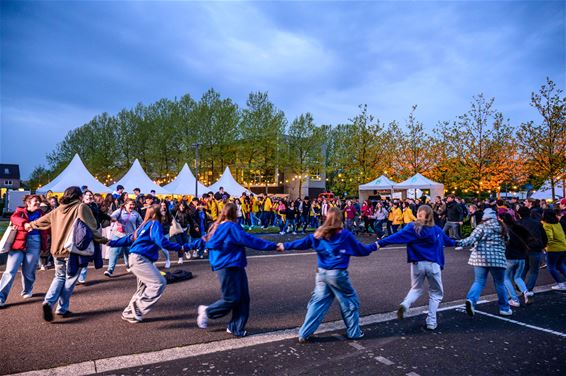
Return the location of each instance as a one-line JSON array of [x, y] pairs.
[[555, 249]]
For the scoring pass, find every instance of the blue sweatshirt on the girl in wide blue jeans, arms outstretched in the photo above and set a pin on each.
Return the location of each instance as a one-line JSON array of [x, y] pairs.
[[334, 253]]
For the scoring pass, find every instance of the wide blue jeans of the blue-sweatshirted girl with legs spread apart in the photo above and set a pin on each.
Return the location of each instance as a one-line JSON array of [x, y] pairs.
[[330, 284]]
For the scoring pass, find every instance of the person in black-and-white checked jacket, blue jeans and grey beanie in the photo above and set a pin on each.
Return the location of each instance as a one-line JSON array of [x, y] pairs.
[[488, 256]]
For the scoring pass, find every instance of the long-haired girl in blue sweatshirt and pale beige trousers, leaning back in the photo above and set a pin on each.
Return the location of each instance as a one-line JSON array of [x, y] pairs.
[[146, 242]]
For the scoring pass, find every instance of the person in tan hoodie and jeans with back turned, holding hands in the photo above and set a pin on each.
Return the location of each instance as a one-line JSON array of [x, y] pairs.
[[61, 221]]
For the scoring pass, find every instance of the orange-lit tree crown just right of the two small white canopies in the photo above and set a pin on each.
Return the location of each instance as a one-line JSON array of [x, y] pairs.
[[478, 143]]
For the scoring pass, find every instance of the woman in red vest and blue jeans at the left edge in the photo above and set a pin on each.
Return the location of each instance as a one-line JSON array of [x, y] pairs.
[[25, 249]]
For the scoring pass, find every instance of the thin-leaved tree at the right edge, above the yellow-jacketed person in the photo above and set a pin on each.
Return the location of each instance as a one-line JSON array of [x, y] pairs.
[[545, 143]]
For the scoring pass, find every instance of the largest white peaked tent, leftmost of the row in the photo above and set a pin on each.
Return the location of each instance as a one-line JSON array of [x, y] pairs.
[[75, 174]]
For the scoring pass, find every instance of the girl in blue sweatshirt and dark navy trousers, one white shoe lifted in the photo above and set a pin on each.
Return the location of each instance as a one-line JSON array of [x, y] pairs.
[[226, 242]]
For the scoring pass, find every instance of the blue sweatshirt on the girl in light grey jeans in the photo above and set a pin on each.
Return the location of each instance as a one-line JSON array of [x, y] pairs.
[[428, 246]]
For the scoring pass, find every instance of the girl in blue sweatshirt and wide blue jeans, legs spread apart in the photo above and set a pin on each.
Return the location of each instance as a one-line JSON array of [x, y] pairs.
[[334, 245]]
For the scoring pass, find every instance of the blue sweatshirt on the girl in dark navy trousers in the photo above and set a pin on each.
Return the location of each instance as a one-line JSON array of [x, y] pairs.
[[226, 247]]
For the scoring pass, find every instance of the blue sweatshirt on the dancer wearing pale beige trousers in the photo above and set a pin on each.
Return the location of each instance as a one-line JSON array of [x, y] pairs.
[[148, 243]]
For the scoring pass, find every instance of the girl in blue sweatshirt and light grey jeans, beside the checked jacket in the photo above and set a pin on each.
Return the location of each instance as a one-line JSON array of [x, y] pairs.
[[425, 252]]
